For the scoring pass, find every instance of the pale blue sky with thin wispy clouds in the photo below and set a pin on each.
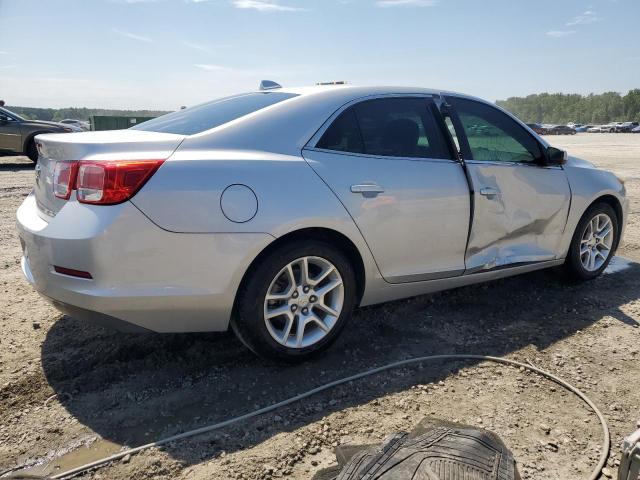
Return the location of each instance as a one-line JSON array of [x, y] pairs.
[[161, 54]]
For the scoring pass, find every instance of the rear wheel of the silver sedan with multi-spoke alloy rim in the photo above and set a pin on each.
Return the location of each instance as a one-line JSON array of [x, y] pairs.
[[296, 301]]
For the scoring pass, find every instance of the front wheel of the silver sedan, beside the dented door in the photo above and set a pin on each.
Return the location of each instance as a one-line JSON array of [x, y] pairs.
[[593, 243]]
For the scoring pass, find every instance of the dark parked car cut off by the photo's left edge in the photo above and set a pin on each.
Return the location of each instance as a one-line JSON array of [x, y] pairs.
[[17, 133]]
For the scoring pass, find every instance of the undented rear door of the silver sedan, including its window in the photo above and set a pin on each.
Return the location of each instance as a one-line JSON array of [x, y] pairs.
[[387, 161]]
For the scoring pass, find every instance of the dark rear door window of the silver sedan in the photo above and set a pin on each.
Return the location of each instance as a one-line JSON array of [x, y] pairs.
[[391, 127]]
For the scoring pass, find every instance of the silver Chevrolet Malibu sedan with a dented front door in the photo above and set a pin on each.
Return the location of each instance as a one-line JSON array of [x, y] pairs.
[[277, 212]]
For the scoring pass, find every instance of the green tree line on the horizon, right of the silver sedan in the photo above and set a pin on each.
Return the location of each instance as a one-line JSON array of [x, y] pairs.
[[562, 108]]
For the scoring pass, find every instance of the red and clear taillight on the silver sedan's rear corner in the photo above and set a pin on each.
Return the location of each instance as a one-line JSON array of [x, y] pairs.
[[103, 183]]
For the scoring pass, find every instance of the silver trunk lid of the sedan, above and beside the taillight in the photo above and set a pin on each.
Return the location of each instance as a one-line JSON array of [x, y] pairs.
[[96, 146]]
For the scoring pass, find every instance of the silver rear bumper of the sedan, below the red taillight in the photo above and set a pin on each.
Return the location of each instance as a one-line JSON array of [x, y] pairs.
[[143, 277]]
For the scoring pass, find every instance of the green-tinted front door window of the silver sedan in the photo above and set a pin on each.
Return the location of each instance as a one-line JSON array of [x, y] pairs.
[[494, 136]]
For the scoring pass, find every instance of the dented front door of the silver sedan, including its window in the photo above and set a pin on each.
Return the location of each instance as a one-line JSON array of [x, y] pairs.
[[520, 205]]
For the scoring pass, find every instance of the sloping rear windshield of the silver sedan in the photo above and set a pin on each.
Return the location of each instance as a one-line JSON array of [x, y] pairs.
[[212, 114]]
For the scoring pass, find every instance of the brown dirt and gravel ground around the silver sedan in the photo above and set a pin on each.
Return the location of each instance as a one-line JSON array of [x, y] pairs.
[[71, 392]]
